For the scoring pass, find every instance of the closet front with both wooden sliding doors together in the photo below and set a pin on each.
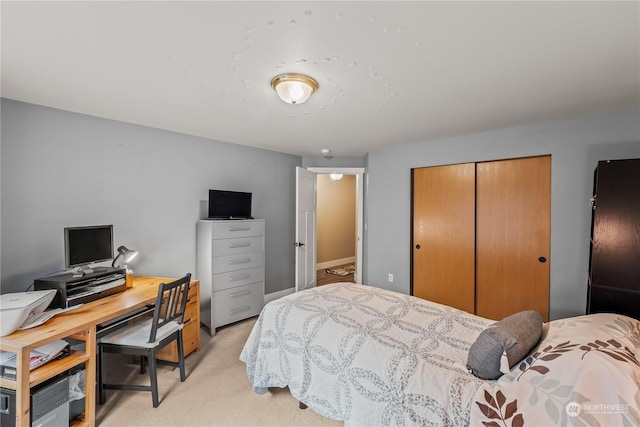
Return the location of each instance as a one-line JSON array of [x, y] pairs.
[[481, 235]]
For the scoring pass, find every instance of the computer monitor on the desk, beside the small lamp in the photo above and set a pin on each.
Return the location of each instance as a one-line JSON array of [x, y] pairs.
[[86, 245]]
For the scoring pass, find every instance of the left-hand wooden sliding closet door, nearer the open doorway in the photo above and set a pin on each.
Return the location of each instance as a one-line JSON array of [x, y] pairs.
[[443, 234]]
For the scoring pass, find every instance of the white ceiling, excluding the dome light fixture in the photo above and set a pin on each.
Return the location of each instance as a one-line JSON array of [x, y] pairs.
[[389, 73]]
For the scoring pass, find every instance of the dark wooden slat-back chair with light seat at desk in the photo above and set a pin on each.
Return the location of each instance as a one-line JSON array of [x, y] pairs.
[[147, 337]]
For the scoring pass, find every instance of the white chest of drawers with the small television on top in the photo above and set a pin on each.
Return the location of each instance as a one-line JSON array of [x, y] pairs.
[[230, 267]]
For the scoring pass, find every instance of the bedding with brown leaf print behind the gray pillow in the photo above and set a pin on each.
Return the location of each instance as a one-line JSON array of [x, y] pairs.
[[584, 372]]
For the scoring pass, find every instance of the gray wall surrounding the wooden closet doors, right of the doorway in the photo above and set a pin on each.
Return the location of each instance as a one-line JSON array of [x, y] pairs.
[[575, 147]]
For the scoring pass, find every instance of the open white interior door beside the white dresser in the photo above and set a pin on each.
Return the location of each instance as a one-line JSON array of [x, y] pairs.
[[305, 268]]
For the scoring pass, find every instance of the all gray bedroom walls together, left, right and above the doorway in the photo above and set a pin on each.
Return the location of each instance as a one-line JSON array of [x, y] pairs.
[[65, 169]]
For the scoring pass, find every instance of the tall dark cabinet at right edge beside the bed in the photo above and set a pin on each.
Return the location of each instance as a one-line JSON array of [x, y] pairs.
[[614, 265]]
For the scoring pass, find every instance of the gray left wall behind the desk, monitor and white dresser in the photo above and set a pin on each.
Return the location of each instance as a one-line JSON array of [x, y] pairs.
[[63, 169]]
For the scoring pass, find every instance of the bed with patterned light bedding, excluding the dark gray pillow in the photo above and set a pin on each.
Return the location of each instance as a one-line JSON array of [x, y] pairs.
[[369, 357]]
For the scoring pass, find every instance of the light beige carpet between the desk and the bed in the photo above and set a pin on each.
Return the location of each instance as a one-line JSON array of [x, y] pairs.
[[217, 391]]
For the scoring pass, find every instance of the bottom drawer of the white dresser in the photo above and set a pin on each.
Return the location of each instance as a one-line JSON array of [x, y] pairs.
[[231, 305]]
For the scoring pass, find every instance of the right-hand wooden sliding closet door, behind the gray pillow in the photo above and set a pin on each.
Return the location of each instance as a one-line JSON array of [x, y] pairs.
[[513, 223]]
